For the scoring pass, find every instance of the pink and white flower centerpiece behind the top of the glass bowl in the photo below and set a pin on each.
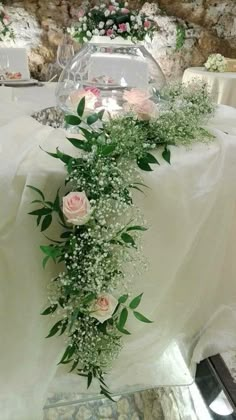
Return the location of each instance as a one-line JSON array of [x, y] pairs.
[[112, 19]]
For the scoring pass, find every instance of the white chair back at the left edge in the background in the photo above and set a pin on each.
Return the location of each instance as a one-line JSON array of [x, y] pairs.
[[18, 61]]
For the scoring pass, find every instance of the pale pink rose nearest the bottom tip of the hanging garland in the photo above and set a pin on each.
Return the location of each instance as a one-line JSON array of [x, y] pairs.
[[103, 307]]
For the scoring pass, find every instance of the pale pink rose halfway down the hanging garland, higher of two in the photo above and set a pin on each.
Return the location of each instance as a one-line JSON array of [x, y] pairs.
[[76, 208]]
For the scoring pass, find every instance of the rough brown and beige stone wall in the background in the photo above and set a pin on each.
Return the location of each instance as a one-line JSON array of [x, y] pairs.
[[208, 26]]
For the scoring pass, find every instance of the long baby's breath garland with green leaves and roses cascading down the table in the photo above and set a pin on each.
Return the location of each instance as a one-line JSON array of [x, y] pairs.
[[100, 225]]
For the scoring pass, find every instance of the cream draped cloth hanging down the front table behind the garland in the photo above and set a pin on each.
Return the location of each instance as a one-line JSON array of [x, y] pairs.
[[189, 286]]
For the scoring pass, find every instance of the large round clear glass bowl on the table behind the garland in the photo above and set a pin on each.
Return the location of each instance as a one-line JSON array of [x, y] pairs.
[[103, 71]]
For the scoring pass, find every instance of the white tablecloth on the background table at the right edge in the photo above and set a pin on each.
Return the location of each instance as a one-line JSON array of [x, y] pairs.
[[221, 85]]
